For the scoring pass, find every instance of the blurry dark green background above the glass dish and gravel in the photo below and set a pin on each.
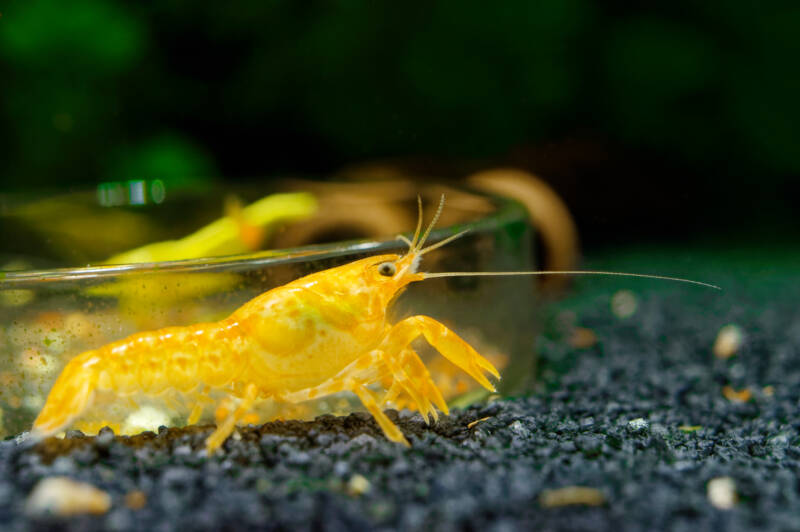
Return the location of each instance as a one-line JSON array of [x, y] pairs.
[[653, 121]]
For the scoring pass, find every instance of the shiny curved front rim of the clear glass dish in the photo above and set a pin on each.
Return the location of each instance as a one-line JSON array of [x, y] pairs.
[[505, 209]]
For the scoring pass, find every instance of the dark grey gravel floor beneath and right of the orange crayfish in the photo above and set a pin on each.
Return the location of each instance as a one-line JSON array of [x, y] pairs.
[[640, 416]]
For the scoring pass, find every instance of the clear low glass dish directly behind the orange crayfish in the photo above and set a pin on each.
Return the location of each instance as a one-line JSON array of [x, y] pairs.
[[52, 308]]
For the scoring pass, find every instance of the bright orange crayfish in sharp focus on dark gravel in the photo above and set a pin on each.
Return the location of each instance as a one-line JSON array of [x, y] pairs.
[[322, 334]]
